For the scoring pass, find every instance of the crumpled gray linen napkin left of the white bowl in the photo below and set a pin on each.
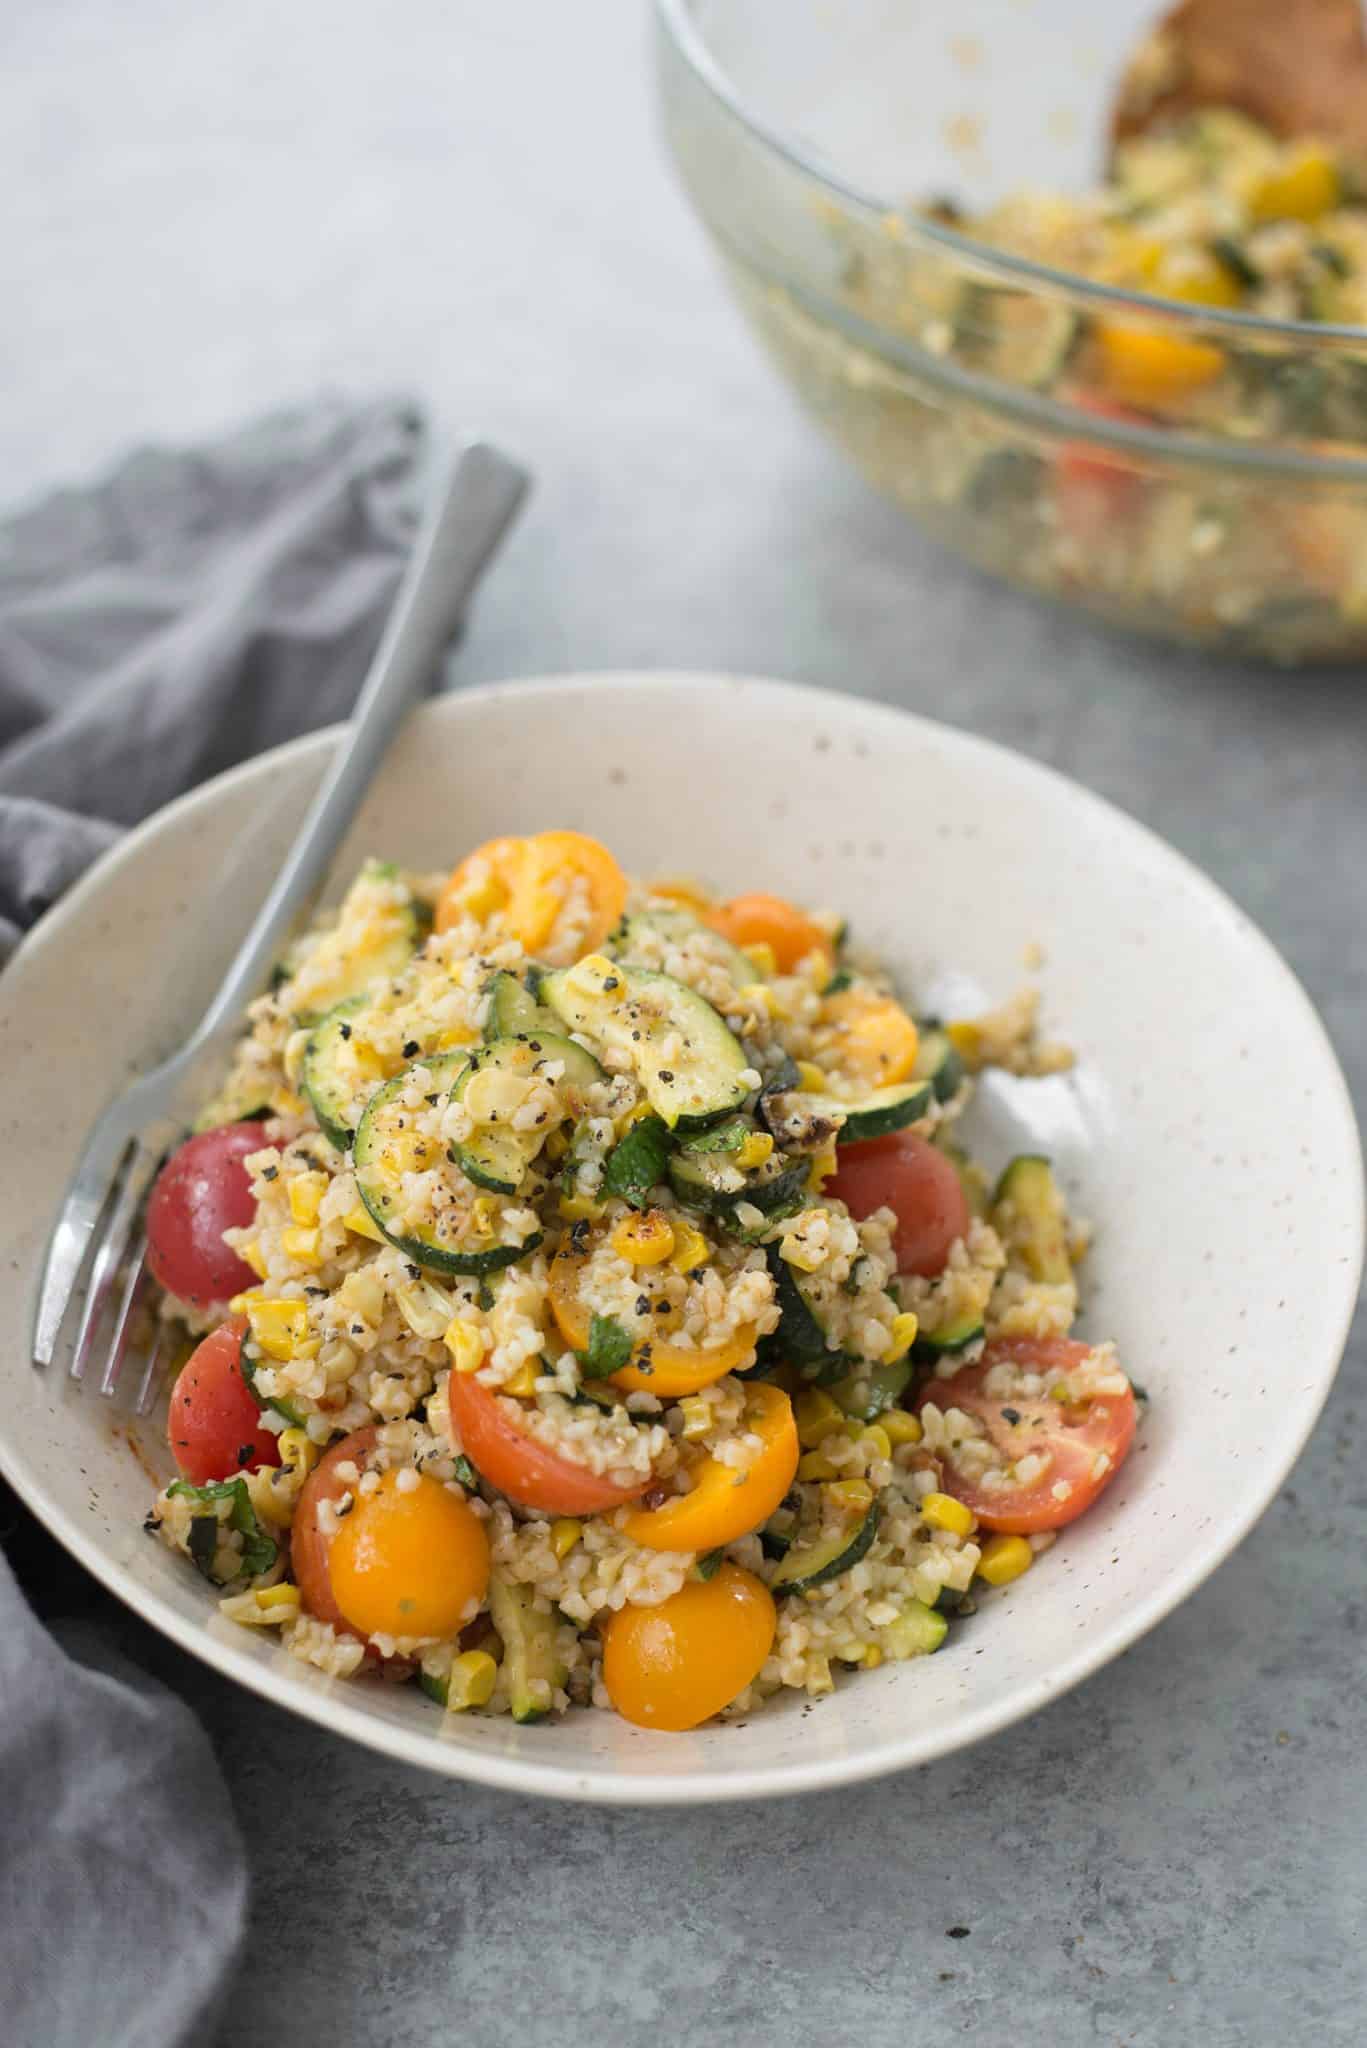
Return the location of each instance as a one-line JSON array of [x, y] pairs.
[[192, 609]]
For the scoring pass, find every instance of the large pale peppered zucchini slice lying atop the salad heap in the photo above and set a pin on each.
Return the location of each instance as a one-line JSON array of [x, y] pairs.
[[681, 1052]]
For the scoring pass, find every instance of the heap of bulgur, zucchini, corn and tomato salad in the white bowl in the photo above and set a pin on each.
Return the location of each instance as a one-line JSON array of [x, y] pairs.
[[593, 1306]]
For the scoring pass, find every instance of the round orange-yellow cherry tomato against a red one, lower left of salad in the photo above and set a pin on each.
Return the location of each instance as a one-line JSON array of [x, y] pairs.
[[409, 1562]]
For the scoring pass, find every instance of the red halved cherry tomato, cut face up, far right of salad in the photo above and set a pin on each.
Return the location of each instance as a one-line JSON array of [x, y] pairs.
[[1081, 1445]]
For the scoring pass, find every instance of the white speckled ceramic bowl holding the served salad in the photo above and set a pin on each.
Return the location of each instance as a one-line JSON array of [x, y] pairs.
[[1206, 1132]]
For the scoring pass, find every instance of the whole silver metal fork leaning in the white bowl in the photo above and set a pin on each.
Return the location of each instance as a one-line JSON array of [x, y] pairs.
[[99, 1226]]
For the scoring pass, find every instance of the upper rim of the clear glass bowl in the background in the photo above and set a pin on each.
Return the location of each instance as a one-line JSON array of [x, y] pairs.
[[681, 26]]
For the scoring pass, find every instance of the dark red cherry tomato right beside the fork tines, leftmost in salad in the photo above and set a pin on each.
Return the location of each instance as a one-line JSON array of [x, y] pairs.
[[204, 1191]]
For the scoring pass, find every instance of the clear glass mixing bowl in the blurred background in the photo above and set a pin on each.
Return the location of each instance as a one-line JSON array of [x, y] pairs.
[[806, 132]]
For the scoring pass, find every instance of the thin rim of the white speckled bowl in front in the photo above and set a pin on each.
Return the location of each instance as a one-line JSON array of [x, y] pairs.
[[335, 1711]]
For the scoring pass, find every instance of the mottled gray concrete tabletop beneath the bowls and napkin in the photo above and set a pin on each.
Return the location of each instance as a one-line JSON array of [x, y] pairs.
[[212, 210]]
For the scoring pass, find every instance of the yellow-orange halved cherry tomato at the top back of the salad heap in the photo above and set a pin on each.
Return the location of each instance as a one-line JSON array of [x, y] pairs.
[[524, 884]]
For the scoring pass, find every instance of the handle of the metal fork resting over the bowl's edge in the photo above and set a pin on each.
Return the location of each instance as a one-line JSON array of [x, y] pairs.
[[460, 534]]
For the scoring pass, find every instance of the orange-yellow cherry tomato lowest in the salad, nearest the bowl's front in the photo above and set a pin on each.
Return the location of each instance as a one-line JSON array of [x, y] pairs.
[[683, 1662]]
